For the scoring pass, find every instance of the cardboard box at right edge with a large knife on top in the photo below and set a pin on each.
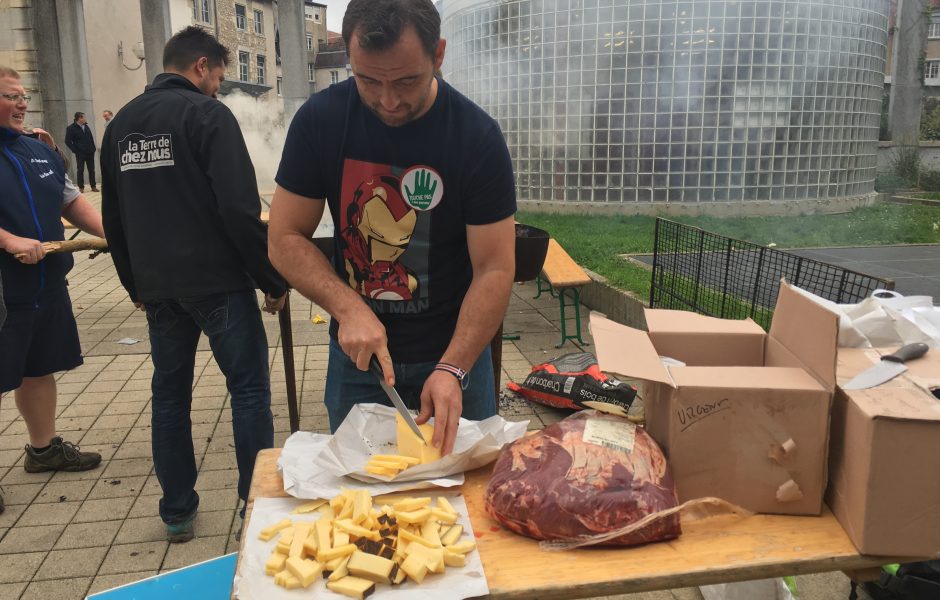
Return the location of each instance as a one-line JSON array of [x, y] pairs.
[[884, 485]]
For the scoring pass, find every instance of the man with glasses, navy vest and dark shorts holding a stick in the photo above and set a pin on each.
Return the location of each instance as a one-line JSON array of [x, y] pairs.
[[40, 335]]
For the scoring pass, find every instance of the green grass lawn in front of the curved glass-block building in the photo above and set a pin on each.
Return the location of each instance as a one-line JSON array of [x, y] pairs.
[[596, 242]]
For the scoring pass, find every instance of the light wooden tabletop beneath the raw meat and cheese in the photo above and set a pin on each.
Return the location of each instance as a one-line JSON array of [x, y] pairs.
[[713, 551]]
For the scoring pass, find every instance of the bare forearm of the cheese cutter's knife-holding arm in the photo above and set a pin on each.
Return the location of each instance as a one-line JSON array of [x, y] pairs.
[[309, 272]]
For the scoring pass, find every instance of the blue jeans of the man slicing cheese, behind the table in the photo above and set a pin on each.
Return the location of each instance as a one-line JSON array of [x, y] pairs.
[[346, 385]]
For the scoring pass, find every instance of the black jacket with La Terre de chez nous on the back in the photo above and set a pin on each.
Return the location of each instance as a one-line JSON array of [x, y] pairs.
[[180, 202]]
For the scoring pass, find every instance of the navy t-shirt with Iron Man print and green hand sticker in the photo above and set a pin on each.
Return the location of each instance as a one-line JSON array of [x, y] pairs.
[[401, 198]]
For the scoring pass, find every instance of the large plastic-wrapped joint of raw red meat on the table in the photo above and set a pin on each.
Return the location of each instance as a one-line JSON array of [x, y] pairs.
[[586, 475]]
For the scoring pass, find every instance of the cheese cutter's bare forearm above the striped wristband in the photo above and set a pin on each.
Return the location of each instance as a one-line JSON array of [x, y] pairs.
[[481, 314]]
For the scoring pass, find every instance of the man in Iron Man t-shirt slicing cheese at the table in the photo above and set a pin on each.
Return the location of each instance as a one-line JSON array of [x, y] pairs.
[[419, 182]]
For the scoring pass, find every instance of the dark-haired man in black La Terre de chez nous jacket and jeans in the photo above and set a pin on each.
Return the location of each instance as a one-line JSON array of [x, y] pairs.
[[182, 217]]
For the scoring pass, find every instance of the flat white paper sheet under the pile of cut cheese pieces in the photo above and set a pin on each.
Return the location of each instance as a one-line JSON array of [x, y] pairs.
[[252, 584]]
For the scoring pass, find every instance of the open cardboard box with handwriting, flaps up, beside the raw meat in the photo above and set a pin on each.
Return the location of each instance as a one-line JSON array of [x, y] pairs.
[[747, 418]]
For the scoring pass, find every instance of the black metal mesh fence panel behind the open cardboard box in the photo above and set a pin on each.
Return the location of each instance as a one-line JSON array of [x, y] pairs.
[[696, 270]]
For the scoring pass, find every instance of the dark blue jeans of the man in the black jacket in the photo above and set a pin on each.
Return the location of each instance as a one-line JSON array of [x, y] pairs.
[[232, 322]]
